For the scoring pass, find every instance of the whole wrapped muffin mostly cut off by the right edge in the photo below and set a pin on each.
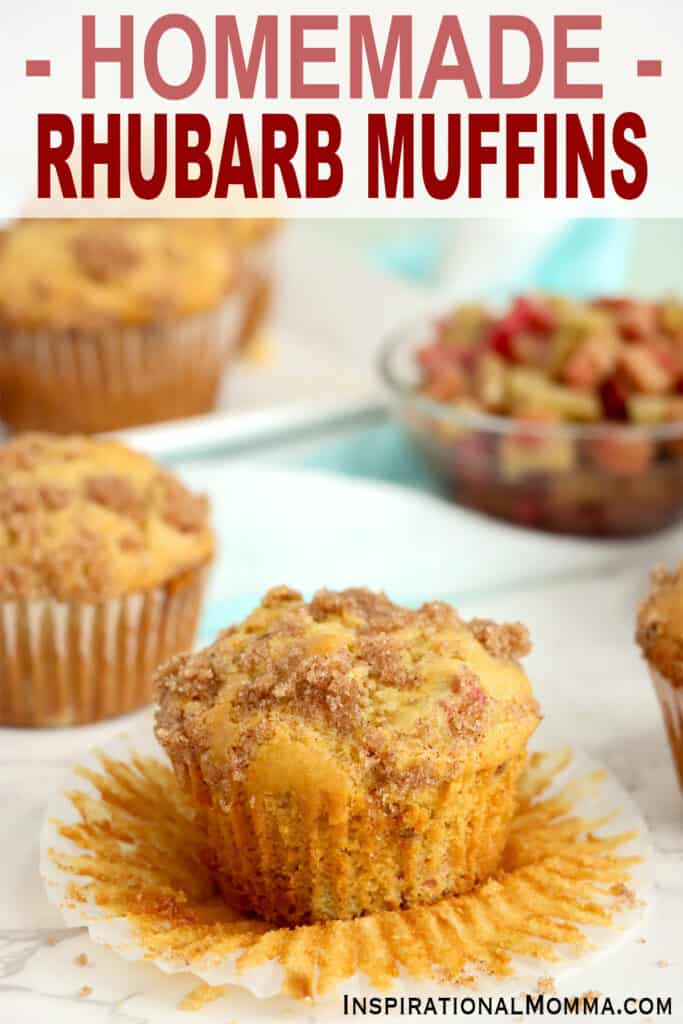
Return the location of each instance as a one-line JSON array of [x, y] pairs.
[[661, 637]]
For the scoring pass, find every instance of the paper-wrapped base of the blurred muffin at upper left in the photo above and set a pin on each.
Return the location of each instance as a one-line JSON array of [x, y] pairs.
[[116, 376]]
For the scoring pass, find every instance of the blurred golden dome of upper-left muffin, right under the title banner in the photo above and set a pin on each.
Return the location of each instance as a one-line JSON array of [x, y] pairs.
[[91, 274]]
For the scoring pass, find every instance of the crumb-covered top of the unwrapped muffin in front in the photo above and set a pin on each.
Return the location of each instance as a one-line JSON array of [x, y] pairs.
[[348, 692]]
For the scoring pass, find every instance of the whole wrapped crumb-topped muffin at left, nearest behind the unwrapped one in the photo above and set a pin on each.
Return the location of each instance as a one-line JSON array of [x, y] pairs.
[[103, 561]]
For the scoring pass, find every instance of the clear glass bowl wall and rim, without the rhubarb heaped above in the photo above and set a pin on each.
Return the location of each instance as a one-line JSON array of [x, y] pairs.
[[604, 480]]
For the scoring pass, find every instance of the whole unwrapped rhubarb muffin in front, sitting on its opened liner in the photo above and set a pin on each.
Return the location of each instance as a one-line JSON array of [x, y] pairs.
[[351, 755]]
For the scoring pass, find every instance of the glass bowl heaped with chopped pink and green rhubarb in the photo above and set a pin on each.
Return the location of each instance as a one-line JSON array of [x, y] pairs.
[[553, 413]]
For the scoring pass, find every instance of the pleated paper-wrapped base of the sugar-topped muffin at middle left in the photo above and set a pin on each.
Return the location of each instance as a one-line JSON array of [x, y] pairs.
[[69, 664]]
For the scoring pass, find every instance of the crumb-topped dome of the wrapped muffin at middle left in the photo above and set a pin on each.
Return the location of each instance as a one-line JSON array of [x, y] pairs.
[[87, 521]]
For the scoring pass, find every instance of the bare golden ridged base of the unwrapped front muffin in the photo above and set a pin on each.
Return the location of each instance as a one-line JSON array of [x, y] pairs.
[[297, 866]]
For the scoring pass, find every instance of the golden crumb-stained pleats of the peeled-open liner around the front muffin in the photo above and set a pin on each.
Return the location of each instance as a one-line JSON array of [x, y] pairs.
[[137, 856]]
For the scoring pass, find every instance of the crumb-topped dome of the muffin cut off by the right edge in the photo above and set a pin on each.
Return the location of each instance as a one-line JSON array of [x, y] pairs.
[[661, 624]]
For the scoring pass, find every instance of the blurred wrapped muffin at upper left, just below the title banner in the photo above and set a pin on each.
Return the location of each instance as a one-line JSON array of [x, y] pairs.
[[107, 324]]
